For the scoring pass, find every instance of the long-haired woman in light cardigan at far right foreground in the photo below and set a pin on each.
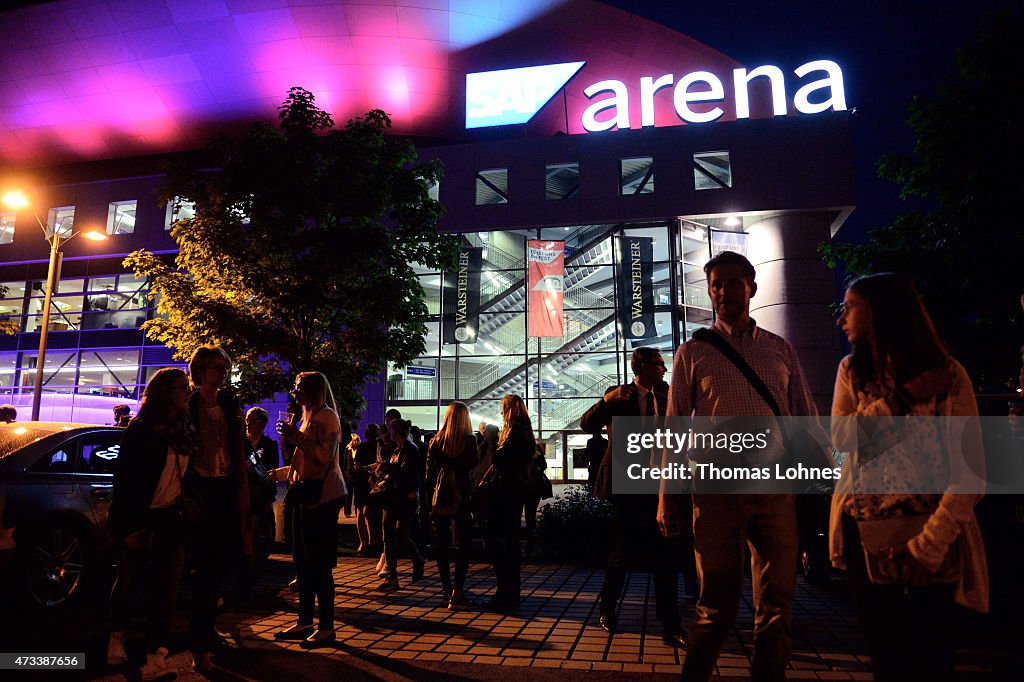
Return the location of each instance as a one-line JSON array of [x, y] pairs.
[[903, 518]]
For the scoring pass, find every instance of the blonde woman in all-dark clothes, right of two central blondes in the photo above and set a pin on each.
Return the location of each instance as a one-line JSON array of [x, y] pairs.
[[516, 448]]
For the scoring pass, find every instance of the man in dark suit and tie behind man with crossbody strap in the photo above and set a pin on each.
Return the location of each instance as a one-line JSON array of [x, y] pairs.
[[634, 525]]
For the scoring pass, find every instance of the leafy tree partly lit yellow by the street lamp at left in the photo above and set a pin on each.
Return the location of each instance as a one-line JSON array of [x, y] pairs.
[[301, 253]]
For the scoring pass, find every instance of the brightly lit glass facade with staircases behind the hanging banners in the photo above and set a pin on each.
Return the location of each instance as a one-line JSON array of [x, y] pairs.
[[561, 378]]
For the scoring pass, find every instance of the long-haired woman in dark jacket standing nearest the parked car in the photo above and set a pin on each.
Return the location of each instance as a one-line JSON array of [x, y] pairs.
[[146, 517]]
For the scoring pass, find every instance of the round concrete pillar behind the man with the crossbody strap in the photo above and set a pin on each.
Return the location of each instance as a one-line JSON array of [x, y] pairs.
[[795, 291]]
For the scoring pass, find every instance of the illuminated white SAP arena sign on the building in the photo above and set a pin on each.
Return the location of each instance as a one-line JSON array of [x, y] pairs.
[[516, 96]]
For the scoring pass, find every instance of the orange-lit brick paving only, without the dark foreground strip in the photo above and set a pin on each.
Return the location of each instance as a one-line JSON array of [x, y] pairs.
[[554, 628]]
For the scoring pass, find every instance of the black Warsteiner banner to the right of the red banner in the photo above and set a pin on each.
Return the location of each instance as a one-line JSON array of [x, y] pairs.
[[636, 291]]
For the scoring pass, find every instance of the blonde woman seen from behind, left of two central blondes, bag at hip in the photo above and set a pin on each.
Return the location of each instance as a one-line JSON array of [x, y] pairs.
[[451, 456]]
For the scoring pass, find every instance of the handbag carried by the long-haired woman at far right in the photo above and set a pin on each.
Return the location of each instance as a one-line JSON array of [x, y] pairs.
[[883, 541]]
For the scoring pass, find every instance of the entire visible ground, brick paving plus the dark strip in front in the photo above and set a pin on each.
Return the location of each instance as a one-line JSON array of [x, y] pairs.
[[411, 635]]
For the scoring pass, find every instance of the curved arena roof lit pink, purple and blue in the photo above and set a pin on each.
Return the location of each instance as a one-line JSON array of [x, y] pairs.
[[100, 79]]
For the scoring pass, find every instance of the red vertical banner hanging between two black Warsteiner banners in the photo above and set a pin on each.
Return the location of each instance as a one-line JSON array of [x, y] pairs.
[[546, 271]]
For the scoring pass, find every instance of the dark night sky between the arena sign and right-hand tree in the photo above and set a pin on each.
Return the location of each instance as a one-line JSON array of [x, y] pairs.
[[889, 52]]
